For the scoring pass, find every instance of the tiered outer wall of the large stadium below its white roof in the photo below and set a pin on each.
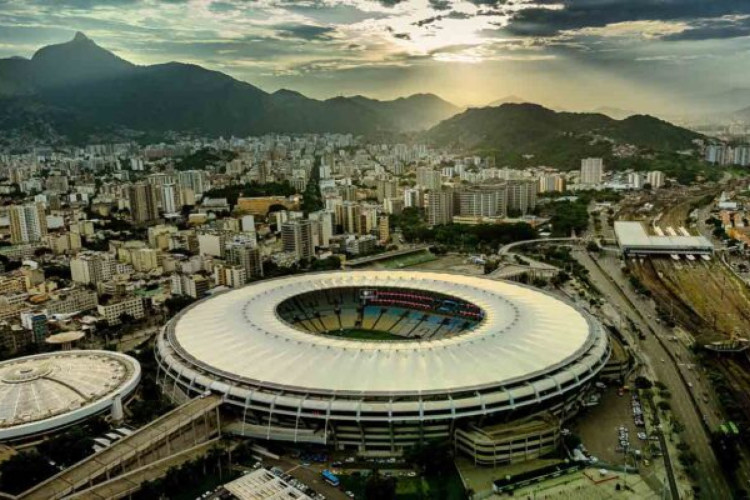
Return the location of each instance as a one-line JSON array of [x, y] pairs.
[[382, 421]]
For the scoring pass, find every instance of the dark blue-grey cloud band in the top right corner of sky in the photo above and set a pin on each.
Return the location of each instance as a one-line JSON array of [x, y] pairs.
[[577, 14]]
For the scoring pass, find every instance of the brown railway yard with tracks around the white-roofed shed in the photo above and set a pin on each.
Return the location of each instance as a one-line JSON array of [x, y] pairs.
[[698, 303]]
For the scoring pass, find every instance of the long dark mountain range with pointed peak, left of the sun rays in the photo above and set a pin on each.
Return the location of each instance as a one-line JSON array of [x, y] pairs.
[[78, 87]]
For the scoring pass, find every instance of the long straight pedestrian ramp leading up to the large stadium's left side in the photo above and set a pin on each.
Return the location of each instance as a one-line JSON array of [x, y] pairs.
[[186, 426]]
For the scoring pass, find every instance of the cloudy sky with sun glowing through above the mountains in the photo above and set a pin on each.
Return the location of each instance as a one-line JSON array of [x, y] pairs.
[[660, 56]]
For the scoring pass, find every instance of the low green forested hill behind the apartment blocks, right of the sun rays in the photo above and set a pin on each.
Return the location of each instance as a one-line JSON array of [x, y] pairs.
[[512, 131]]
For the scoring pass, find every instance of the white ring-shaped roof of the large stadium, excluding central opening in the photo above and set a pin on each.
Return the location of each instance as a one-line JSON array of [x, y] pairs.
[[239, 335]]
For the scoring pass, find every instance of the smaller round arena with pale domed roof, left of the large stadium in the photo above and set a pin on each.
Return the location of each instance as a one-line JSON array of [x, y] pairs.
[[46, 392]]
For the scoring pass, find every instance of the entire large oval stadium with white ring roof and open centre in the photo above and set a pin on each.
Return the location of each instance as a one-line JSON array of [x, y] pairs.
[[381, 360]]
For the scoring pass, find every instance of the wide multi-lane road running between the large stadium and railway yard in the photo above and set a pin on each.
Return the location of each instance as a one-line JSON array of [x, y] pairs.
[[613, 285]]
